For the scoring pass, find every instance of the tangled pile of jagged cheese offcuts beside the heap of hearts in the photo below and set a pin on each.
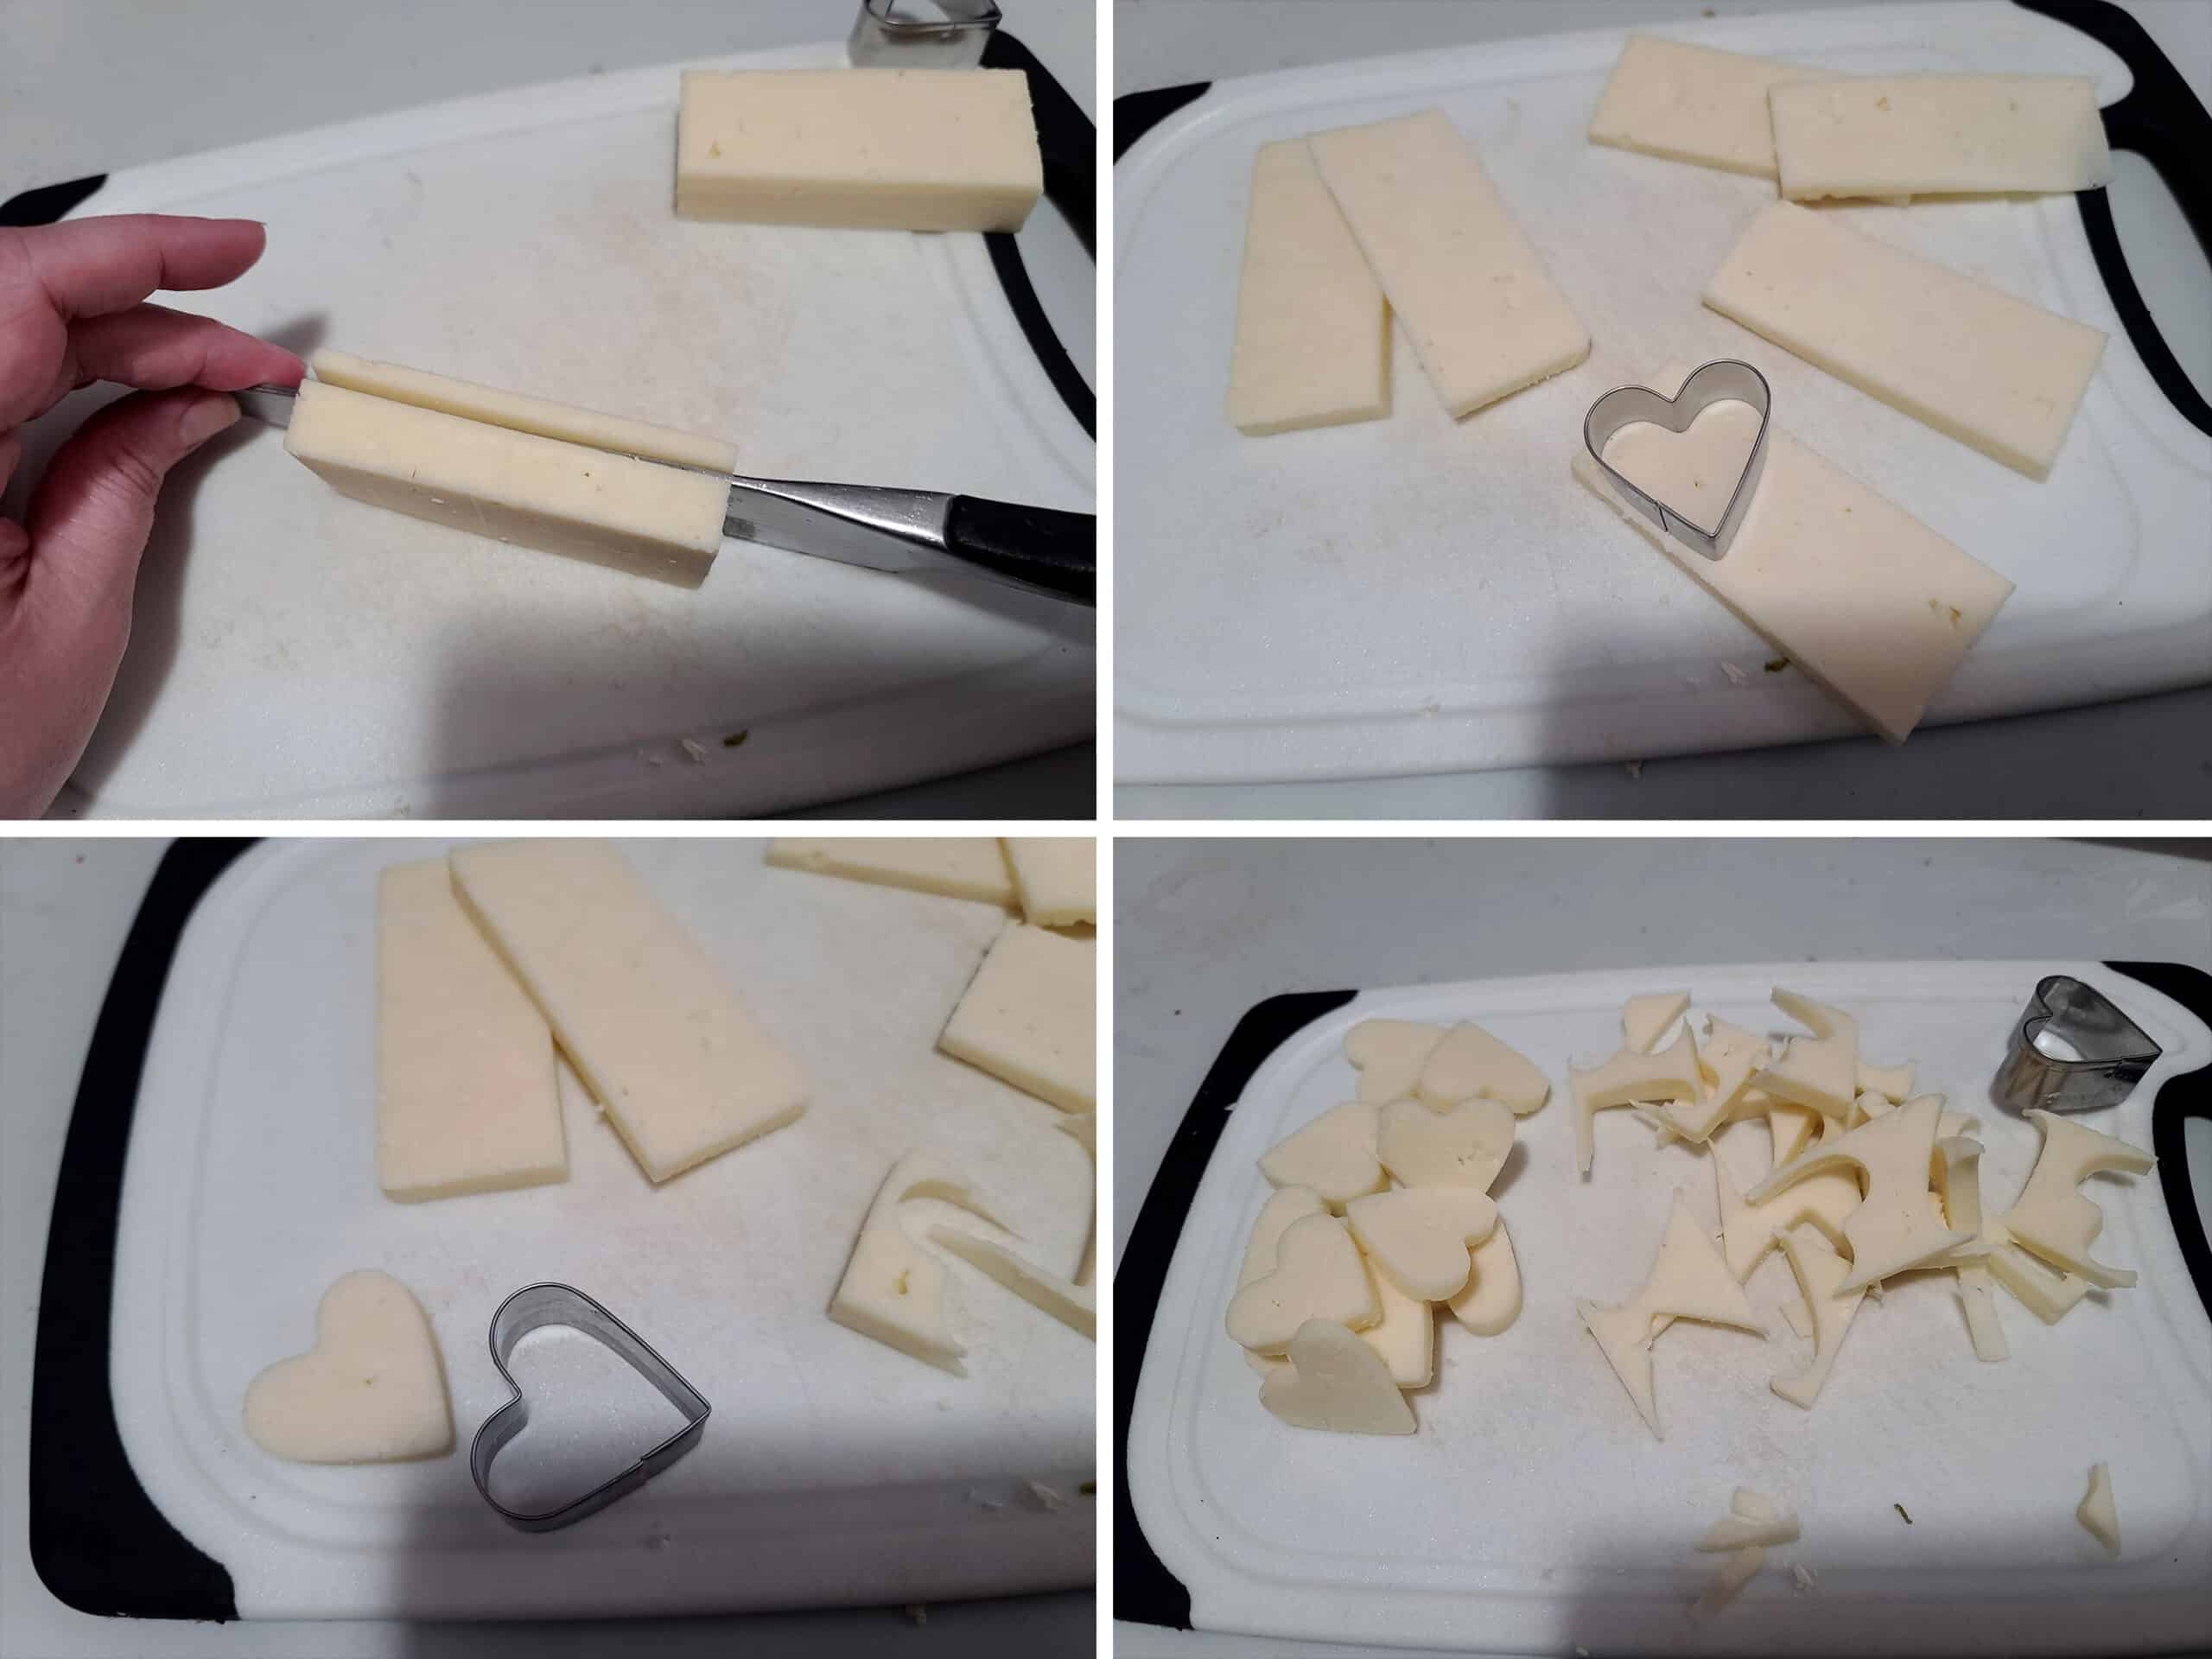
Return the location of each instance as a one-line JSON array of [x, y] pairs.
[[1866, 1182]]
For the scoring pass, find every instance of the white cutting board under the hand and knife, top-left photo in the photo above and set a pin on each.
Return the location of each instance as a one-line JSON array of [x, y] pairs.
[[298, 654]]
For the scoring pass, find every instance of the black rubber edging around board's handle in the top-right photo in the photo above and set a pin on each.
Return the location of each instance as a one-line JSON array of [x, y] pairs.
[[2160, 121]]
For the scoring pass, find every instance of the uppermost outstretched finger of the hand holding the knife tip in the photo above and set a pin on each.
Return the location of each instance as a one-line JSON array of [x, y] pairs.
[[98, 267]]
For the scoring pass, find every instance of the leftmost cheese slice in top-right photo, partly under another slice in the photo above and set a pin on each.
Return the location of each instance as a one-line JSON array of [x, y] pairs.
[[1313, 326]]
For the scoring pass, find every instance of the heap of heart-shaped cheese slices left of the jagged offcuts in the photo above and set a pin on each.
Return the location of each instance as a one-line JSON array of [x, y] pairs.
[[1381, 1211]]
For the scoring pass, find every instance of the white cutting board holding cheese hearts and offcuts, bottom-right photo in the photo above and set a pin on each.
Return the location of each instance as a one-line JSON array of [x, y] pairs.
[[1534, 1510]]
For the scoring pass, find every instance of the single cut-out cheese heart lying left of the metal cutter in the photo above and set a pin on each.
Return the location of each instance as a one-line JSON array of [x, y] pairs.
[[371, 1390]]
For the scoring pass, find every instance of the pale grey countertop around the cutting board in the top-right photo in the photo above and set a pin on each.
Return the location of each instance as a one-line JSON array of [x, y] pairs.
[[2138, 760]]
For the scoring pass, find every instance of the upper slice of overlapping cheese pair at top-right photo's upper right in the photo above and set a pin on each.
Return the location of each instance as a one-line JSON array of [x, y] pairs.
[[1919, 136]]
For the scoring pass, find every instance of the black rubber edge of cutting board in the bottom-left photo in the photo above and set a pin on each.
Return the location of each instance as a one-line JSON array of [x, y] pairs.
[[96, 1538]]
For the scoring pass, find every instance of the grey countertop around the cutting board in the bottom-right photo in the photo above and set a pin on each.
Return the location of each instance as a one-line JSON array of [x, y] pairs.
[[1209, 928]]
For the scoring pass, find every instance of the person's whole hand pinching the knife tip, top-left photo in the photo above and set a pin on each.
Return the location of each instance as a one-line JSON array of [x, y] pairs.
[[72, 313]]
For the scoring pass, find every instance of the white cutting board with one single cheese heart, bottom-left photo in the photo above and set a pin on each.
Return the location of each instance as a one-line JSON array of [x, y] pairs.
[[833, 1470]]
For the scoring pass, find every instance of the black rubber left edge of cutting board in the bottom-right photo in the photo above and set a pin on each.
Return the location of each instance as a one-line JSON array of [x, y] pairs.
[[1145, 1592]]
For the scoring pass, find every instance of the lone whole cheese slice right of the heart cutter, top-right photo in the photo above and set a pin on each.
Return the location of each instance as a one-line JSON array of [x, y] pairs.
[[1968, 359]]
